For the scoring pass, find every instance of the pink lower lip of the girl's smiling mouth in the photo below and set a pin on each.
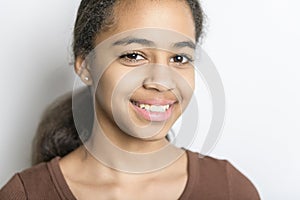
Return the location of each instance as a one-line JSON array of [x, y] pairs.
[[153, 116]]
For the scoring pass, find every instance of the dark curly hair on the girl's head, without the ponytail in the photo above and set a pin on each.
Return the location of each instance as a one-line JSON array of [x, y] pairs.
[[95, 16]]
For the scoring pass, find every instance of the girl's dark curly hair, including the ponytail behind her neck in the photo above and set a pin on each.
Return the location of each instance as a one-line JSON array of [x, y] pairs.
[[56, 134]]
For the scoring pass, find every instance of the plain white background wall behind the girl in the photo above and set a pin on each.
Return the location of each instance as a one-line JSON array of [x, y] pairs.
[[254, 44]]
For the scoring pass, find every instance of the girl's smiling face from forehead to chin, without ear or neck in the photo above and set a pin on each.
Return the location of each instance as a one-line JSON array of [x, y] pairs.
[[142, 75]]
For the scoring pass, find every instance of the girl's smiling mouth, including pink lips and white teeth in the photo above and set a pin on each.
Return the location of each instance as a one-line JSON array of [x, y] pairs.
[[153, 110]]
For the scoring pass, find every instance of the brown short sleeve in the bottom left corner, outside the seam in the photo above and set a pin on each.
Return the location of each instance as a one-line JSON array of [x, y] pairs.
[[13, 190]]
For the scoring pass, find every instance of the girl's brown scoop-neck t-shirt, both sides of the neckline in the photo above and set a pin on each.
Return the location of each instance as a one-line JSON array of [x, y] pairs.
[[208, 179]]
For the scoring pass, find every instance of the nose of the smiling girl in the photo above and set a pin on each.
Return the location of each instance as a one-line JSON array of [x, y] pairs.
[[160, 78]]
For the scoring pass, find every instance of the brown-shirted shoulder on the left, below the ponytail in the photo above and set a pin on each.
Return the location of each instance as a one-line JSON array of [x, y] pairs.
[[34, 183]]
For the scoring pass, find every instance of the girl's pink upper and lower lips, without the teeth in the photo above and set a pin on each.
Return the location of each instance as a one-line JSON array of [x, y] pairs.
[[154, 116]]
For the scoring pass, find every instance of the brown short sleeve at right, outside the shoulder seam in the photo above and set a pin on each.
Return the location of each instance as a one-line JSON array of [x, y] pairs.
[[240, 187]]
